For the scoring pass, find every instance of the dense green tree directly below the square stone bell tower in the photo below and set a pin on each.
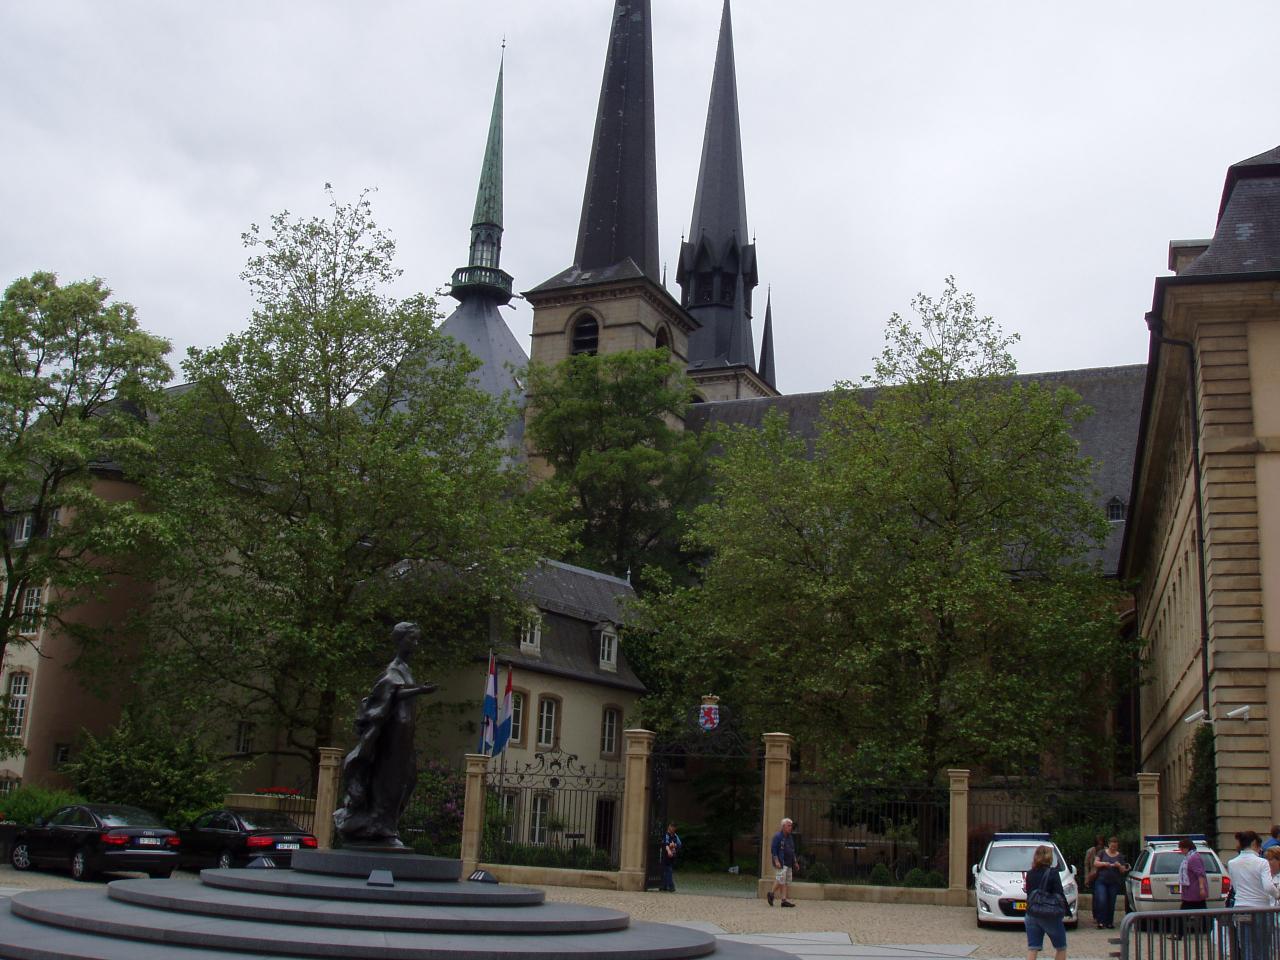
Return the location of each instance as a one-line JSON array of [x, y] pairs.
[[611, 428]]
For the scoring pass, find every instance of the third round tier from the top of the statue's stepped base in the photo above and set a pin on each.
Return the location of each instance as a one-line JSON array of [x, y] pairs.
[[194, 898]]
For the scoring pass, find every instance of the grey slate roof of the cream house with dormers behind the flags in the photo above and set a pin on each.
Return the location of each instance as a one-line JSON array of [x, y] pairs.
[[587, 596]]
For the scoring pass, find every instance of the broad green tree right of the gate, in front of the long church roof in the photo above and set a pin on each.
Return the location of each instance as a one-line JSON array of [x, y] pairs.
[[917, 591]]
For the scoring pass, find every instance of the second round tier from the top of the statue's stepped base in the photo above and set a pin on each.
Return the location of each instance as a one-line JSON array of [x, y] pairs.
[[331, 888]]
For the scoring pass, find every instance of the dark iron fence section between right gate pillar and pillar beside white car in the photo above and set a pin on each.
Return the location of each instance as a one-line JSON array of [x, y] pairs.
[[874, 835]]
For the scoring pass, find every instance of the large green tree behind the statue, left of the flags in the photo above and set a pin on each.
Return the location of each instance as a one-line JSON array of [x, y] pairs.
[[331, 470]]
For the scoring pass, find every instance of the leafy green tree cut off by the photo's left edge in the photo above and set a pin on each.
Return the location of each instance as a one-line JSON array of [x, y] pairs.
[[75, 374]]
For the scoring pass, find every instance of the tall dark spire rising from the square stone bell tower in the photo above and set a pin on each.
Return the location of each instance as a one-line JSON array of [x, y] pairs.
[[620, 207]]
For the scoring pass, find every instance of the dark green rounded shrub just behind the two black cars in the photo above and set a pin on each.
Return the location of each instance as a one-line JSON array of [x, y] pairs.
[[172, 776]]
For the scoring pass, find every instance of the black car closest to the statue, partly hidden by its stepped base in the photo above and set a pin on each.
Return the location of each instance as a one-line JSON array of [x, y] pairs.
[[232, 836]]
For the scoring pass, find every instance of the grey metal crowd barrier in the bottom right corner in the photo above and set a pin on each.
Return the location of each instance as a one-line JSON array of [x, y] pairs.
[[1245, 934]]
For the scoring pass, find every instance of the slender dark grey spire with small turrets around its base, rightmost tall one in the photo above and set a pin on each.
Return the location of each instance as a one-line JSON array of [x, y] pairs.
[[717, 264]]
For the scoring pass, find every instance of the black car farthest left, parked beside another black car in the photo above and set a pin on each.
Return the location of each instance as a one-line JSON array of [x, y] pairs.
[[88, 839]]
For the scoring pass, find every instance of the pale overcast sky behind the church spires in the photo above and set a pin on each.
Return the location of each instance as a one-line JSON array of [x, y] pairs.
[[1045, 154]]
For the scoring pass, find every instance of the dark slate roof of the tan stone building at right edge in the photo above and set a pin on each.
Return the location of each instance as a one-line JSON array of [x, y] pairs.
[[1247, 239]]
